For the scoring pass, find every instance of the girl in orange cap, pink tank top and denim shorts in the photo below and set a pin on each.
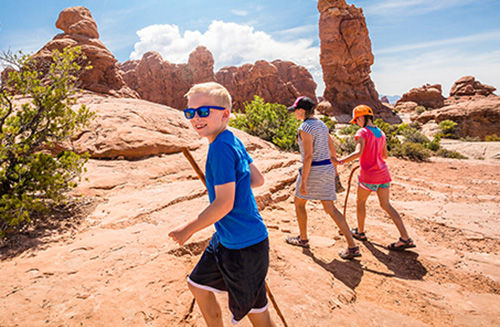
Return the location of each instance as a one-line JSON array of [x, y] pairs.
[[374, 175]]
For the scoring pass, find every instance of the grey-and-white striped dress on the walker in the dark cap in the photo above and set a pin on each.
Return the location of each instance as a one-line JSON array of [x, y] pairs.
[[320, 183]]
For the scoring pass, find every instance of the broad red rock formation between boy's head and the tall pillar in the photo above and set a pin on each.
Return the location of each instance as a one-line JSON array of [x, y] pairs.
[[276, 82]]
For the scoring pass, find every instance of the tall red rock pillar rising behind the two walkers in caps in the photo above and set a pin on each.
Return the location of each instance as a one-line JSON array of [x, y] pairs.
[[346, 58]]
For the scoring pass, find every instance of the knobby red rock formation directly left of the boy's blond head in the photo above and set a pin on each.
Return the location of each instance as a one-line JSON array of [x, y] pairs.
[[162, 82]]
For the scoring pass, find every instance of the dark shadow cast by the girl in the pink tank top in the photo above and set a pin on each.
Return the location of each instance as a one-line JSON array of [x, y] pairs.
[[404, 264]]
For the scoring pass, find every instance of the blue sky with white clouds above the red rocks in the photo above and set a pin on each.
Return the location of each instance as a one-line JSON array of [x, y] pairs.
[[414, 41]]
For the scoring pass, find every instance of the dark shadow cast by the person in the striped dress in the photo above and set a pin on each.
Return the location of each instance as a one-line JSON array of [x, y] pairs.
[[348, 272]]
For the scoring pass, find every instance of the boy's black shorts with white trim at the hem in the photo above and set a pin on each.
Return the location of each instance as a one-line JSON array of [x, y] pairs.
[[241, 273]]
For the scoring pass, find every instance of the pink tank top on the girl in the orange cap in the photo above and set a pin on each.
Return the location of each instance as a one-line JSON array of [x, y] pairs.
[[373, 167]]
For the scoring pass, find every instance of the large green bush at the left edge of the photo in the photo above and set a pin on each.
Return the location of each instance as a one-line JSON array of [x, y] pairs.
[[32, 179]]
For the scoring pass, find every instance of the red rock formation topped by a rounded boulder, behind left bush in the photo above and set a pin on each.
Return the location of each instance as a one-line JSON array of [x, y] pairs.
[[80, 29]]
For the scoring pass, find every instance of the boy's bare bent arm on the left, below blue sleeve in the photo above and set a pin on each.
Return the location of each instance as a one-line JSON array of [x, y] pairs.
[[221, 206]]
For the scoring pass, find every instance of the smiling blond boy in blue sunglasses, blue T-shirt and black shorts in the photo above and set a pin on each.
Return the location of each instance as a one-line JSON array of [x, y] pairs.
[[237, 257]]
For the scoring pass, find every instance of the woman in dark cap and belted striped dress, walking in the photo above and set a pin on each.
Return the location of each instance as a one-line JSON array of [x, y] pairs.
[[316, 180]]
